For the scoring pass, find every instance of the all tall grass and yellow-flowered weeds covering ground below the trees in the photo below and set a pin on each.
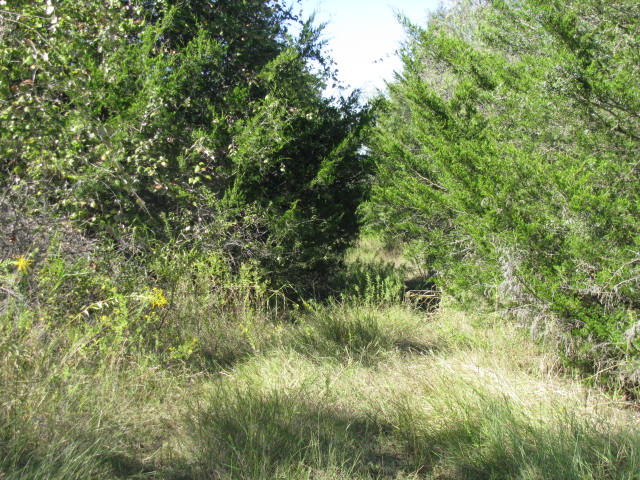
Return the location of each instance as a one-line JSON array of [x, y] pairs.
[[192, 374]]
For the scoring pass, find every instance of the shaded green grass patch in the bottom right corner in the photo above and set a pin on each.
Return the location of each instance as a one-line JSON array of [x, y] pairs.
[[496, 439]]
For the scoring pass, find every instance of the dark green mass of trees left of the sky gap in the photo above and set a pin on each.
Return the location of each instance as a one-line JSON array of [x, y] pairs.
[[200, 123]]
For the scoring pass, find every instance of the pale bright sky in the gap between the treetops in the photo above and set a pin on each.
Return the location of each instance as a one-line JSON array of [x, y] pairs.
[[363, 36]]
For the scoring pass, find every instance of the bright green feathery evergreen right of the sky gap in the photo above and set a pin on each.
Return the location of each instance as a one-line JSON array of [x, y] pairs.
[[507, 155]]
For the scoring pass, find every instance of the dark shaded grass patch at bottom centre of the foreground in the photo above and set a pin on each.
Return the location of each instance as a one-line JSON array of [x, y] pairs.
[[257, 435]]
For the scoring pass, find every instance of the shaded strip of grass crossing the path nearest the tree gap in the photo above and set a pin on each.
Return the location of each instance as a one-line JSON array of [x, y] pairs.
[[341, 332]]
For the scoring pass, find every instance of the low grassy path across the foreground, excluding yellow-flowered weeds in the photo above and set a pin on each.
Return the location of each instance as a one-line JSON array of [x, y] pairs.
[[346, 392]]
